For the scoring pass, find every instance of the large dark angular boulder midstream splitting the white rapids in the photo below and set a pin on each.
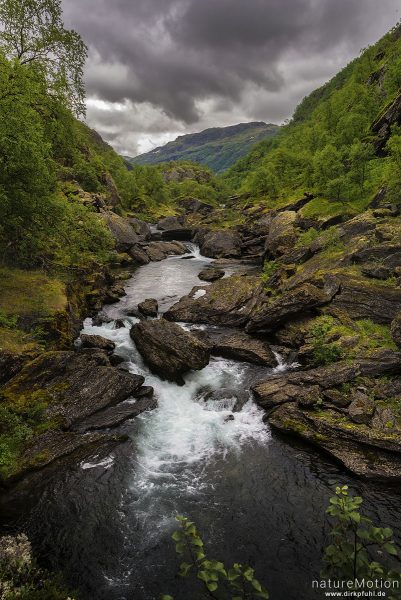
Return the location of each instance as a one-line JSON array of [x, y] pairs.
[[168, 349]]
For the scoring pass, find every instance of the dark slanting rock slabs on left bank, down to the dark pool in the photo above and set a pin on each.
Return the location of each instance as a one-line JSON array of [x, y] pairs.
[[70, 387]]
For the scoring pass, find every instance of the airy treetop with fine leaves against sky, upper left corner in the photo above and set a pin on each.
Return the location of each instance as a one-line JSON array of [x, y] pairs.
[[33, 33]]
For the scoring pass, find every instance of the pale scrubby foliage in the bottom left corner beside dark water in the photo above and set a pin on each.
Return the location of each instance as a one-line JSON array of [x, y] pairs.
[[21, 577]]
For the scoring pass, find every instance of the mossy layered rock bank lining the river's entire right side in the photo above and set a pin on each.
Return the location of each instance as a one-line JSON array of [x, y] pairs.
[[328, 291]]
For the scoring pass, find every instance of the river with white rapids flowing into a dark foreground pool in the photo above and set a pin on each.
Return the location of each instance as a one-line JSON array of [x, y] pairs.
[[256, 498]]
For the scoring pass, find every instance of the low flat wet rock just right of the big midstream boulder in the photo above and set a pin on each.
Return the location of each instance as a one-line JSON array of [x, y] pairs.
[[240, 346]]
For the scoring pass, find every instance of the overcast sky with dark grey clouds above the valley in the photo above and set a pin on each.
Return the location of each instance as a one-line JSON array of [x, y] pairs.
[[161, 68]]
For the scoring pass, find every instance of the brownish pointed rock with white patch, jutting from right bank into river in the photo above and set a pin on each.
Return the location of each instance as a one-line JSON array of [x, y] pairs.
[[230, 302]]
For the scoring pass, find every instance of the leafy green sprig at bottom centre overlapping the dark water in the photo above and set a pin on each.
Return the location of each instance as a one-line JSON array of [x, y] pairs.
[[218, 582]]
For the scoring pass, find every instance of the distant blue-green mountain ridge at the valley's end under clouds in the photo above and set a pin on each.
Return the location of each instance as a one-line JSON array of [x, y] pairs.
[[218, 147]]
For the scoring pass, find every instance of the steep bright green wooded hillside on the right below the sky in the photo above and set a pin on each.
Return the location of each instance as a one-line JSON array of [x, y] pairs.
[[343, 143]]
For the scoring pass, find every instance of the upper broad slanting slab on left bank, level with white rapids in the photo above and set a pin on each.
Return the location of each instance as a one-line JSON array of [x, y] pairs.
[[74, 385]]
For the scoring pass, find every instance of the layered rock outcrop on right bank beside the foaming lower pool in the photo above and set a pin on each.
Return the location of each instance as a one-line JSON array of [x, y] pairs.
[[328, 407]]
